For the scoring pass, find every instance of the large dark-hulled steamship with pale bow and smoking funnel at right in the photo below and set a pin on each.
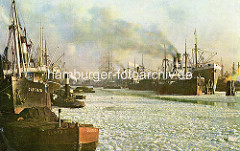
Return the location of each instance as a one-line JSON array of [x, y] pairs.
[[204, 75]]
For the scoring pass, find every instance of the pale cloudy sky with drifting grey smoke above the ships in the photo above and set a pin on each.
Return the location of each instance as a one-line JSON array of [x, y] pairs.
[[85, 29]]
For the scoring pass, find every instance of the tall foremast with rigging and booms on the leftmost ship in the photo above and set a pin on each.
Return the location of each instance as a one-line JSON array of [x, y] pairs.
[[18, 44]]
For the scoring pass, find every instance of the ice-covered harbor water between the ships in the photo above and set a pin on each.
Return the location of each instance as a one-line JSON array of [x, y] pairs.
[[138, 120]]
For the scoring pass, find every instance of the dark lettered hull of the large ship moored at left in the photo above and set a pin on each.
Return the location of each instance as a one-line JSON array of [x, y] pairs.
[[18, 94]]
